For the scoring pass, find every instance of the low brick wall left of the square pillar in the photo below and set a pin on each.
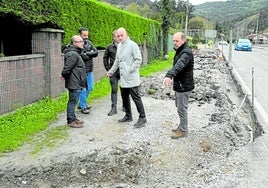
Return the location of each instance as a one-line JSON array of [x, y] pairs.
[[21, 81]]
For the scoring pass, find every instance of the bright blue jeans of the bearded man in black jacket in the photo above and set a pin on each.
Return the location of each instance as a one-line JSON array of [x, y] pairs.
[[86, 91]]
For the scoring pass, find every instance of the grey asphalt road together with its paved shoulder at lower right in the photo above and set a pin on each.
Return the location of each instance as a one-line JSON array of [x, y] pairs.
[[251, 67]]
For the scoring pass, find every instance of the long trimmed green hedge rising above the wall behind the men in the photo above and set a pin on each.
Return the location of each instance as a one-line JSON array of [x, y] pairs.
[[69, 15]]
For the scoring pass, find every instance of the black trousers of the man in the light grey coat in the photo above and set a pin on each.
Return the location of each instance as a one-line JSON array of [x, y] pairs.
[[135, 95]]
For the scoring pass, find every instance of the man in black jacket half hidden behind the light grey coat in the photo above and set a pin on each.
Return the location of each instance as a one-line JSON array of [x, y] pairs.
[[108, 61]]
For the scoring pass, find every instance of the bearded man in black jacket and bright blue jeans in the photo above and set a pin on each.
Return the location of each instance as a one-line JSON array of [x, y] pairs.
[[88, 53]]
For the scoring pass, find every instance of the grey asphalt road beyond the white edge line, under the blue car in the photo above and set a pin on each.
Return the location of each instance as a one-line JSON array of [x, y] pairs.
[[253, 69]]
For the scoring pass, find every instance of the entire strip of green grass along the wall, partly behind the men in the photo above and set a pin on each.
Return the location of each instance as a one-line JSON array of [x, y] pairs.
[[23, 124]]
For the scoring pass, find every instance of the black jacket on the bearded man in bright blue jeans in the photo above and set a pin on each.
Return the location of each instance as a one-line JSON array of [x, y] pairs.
[[88, 53]]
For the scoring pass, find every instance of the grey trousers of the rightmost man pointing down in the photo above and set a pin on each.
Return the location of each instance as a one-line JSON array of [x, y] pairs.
[[181, 101]]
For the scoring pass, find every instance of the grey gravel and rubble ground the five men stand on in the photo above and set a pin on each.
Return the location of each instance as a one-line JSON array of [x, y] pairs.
[[105, 153]]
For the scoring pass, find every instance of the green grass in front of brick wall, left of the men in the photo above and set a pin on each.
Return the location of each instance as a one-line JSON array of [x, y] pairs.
[[19, 126]]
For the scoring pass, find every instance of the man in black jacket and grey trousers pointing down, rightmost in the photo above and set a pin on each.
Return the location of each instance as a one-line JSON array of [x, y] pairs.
[[183, 81]]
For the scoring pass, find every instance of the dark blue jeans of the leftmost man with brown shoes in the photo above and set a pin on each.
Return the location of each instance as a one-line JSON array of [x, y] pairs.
[[72, 102]]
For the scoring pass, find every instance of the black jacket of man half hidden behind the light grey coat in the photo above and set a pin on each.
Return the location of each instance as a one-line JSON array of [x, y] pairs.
[[109, 58]]
